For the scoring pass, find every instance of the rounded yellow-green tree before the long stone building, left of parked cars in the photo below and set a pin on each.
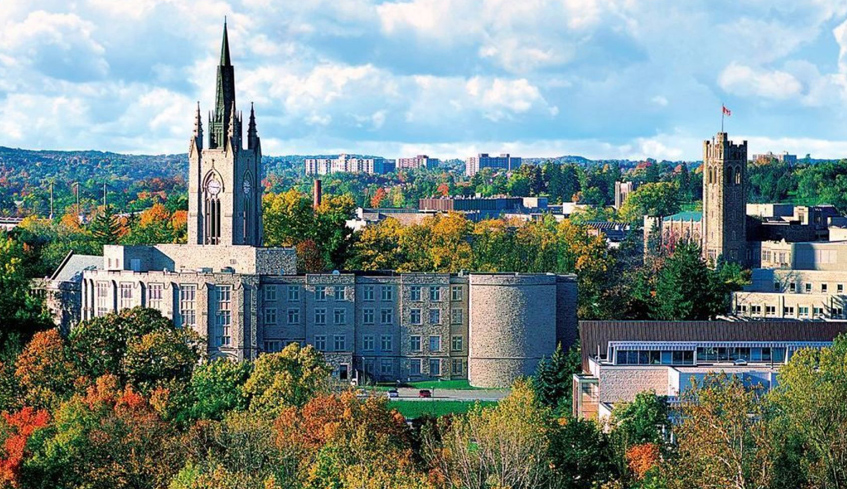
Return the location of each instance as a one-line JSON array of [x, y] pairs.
[[288, 378]]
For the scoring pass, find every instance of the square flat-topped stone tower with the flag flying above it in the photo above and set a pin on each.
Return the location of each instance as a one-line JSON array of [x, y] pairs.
[[724, 200]]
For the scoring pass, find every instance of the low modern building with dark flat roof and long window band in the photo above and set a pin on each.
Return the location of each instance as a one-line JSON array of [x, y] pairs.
[[623, 358]]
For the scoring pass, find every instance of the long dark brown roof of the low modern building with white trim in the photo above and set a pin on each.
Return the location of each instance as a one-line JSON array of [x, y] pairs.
[[594, 334]]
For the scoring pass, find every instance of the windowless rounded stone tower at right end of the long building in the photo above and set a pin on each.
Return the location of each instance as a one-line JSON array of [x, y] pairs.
[[512, 325]]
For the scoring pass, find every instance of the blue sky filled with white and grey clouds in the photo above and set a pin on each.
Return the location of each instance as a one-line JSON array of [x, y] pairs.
[[449, 78]]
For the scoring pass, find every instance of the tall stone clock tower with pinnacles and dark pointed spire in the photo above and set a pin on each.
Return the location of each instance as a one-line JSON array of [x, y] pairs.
[[224, 187]]
